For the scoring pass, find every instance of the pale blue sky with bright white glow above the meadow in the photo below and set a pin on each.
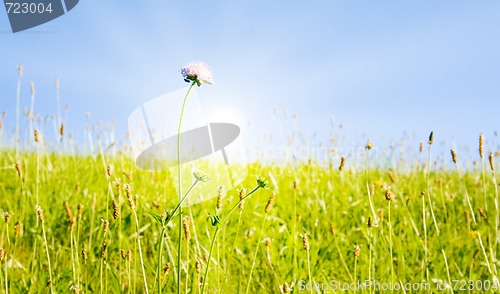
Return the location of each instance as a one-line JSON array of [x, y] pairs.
[[381, 68]]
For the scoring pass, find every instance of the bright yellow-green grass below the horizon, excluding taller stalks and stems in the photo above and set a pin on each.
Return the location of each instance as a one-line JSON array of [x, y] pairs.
[[332, 209]]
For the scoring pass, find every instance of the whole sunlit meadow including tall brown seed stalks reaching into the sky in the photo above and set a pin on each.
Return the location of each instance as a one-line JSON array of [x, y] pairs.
[[93, 222]]
